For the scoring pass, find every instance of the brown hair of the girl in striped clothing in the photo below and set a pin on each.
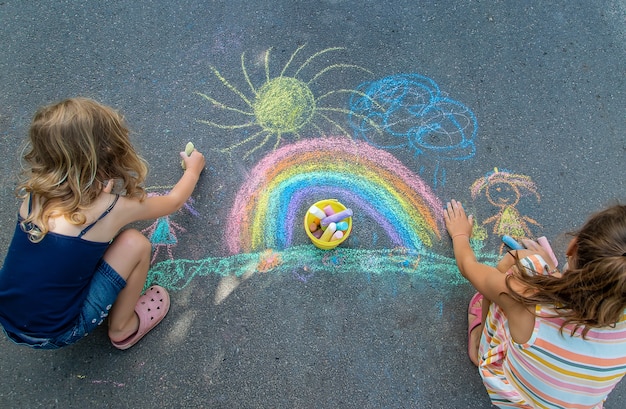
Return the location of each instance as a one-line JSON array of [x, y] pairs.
[[592, 291]]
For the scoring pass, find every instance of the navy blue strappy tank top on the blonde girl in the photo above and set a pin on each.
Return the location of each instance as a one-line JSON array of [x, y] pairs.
[[43, 285]]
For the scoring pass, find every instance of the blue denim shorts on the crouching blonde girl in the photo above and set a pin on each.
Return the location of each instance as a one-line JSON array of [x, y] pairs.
[[103, 290]]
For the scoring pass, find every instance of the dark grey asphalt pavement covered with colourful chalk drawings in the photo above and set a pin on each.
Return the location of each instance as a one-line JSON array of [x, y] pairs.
[[516, 108]]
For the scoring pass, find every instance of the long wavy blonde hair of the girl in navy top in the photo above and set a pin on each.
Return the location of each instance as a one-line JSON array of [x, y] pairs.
[[74, 147]]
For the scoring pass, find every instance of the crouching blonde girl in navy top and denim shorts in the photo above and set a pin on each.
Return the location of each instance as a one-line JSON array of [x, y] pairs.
[[70, 264]]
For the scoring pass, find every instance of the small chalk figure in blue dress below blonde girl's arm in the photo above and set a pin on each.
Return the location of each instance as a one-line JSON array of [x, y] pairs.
[[163, 232]]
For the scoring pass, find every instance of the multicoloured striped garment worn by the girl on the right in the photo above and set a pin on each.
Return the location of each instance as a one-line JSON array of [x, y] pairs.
[[552, 369]]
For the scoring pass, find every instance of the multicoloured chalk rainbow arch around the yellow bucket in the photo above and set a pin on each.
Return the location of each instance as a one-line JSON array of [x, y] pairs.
[[270, 205]]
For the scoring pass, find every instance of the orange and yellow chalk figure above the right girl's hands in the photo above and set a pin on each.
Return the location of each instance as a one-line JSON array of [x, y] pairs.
[[504, 190]]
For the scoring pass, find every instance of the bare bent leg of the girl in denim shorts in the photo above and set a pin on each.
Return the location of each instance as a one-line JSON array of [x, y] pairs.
[[129, 255]]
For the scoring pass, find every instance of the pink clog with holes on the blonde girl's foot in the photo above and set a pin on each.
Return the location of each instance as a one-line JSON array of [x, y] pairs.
[[151, 308]]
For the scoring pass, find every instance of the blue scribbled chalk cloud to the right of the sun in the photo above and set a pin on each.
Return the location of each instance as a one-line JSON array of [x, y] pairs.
[[414, 114]]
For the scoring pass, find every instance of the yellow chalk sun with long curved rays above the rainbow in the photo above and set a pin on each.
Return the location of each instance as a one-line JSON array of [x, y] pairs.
[[283, 104]]
